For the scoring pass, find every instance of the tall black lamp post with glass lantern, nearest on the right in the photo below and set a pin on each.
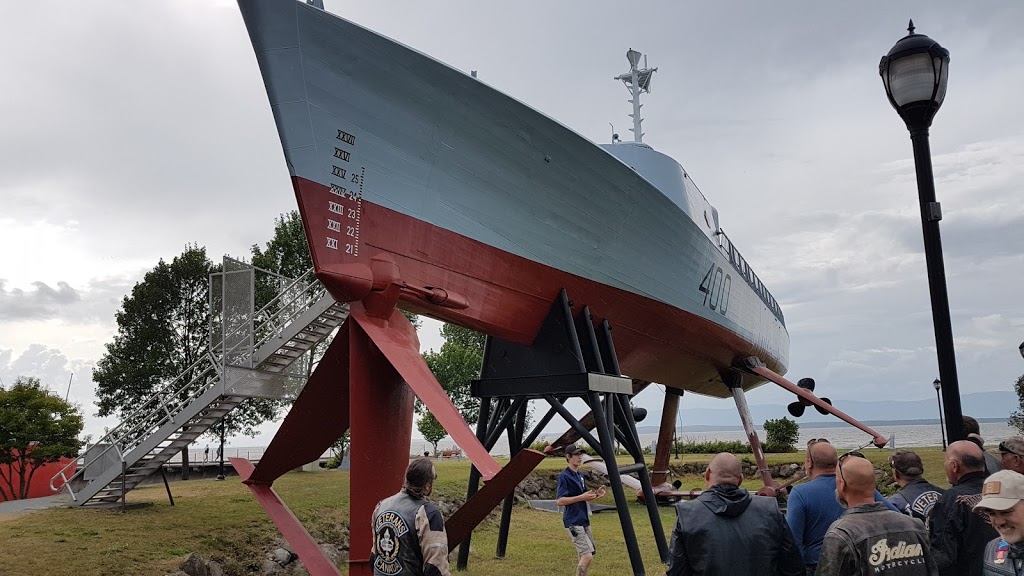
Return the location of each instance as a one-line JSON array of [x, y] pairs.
[[915, 74]]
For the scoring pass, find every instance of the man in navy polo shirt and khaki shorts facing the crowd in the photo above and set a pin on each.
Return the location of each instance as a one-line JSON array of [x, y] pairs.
[[573, 495]]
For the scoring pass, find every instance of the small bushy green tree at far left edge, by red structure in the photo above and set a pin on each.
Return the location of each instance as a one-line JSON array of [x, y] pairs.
[[36, 428]]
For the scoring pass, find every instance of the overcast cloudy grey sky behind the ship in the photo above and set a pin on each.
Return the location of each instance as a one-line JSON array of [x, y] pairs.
[[132, 130]]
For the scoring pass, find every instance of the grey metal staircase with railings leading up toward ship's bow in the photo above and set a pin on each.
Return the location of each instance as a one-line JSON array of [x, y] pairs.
[[297, 319]]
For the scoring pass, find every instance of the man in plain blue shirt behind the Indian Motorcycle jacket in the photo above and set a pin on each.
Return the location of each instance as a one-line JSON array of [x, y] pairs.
[[813, 507]]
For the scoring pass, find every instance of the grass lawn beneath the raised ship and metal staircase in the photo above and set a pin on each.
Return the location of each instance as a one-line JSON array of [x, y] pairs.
[[223, 521]]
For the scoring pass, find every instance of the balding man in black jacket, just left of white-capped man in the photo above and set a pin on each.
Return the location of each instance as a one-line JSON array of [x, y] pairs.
[[959, 536]]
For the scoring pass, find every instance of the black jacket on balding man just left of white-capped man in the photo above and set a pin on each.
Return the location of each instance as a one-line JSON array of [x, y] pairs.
[[959, 536]]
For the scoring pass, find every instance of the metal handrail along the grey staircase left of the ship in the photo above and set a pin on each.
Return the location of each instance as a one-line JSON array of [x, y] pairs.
[[155, 412]]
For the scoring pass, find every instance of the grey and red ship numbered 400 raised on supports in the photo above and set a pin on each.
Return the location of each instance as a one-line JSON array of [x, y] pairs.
[[424, 188]]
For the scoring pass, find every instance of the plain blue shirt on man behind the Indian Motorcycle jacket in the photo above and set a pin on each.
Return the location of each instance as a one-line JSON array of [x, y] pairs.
[[812, 510]]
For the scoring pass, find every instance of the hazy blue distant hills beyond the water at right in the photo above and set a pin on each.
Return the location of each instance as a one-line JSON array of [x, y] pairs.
[[990, 406]]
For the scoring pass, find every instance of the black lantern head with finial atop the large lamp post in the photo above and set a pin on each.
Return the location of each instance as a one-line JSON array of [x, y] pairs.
[[915, 74]]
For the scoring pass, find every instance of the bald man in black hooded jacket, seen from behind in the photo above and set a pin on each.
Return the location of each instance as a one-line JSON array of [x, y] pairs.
[[728, 531]]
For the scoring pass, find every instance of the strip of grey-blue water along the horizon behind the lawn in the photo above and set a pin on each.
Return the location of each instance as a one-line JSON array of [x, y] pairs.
[[842, 438]]
